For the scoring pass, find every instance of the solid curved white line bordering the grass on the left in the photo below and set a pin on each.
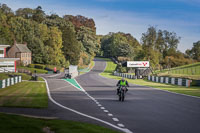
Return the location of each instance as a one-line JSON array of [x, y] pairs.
[[82, 114]]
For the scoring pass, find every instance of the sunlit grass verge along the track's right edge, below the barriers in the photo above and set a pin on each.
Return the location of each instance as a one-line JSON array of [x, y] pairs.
[[193, 91]]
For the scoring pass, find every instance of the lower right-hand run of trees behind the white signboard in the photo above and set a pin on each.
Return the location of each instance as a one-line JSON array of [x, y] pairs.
[[157, 46]]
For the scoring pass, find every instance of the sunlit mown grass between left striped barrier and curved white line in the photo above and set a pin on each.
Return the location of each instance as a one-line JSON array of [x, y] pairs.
[[24, 94]]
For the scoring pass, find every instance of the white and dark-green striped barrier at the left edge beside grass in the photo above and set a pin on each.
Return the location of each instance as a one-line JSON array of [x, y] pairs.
[[10, 81]]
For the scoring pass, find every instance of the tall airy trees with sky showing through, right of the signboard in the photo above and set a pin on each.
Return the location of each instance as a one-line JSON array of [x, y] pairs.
[[160, 48]]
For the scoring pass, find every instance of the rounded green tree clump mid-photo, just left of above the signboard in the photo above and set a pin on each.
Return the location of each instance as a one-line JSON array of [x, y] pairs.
[[119, 44]]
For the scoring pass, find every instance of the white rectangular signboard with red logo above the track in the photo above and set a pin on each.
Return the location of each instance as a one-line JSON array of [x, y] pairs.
[[138, 64]]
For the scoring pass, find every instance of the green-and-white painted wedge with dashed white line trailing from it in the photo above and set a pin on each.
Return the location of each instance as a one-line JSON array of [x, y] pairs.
[[74, 83]]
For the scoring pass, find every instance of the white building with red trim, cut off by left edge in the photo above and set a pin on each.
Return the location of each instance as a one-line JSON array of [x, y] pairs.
[[6, 64]]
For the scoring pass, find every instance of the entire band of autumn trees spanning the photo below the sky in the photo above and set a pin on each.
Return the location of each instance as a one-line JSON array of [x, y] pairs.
[[72, 40]]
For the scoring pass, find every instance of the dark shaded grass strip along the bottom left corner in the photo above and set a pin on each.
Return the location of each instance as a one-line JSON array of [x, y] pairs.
[[20, 124]]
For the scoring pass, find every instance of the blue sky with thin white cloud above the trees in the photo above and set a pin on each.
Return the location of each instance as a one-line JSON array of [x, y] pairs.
[[129, 16]]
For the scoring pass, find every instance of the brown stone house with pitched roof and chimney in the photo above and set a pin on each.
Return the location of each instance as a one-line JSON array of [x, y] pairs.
[[20, 51]]
